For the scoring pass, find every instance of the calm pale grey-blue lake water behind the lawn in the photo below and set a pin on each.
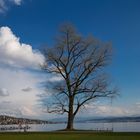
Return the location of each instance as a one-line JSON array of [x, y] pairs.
[[117, 127]]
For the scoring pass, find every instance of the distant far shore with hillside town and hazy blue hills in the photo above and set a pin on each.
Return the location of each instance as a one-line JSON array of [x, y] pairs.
[[9, 120]]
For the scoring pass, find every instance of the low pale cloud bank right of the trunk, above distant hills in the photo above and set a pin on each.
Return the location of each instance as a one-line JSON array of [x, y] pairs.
[[104, 110]]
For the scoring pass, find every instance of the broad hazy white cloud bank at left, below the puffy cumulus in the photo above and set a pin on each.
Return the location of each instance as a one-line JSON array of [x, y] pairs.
[[17, 103]]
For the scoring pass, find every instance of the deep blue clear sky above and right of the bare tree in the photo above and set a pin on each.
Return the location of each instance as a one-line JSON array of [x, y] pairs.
[[36, 22]]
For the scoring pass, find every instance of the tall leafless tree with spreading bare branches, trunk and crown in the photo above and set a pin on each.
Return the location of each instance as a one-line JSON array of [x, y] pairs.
[[80, 62]]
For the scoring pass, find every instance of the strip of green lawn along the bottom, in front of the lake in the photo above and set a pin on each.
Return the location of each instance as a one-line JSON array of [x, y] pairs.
[[70, 136]]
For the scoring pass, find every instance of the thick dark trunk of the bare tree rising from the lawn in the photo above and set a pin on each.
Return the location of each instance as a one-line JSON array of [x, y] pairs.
[[70, 115]]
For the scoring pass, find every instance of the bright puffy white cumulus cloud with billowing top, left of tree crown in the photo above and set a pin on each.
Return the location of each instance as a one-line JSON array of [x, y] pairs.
[[17, 54]]
